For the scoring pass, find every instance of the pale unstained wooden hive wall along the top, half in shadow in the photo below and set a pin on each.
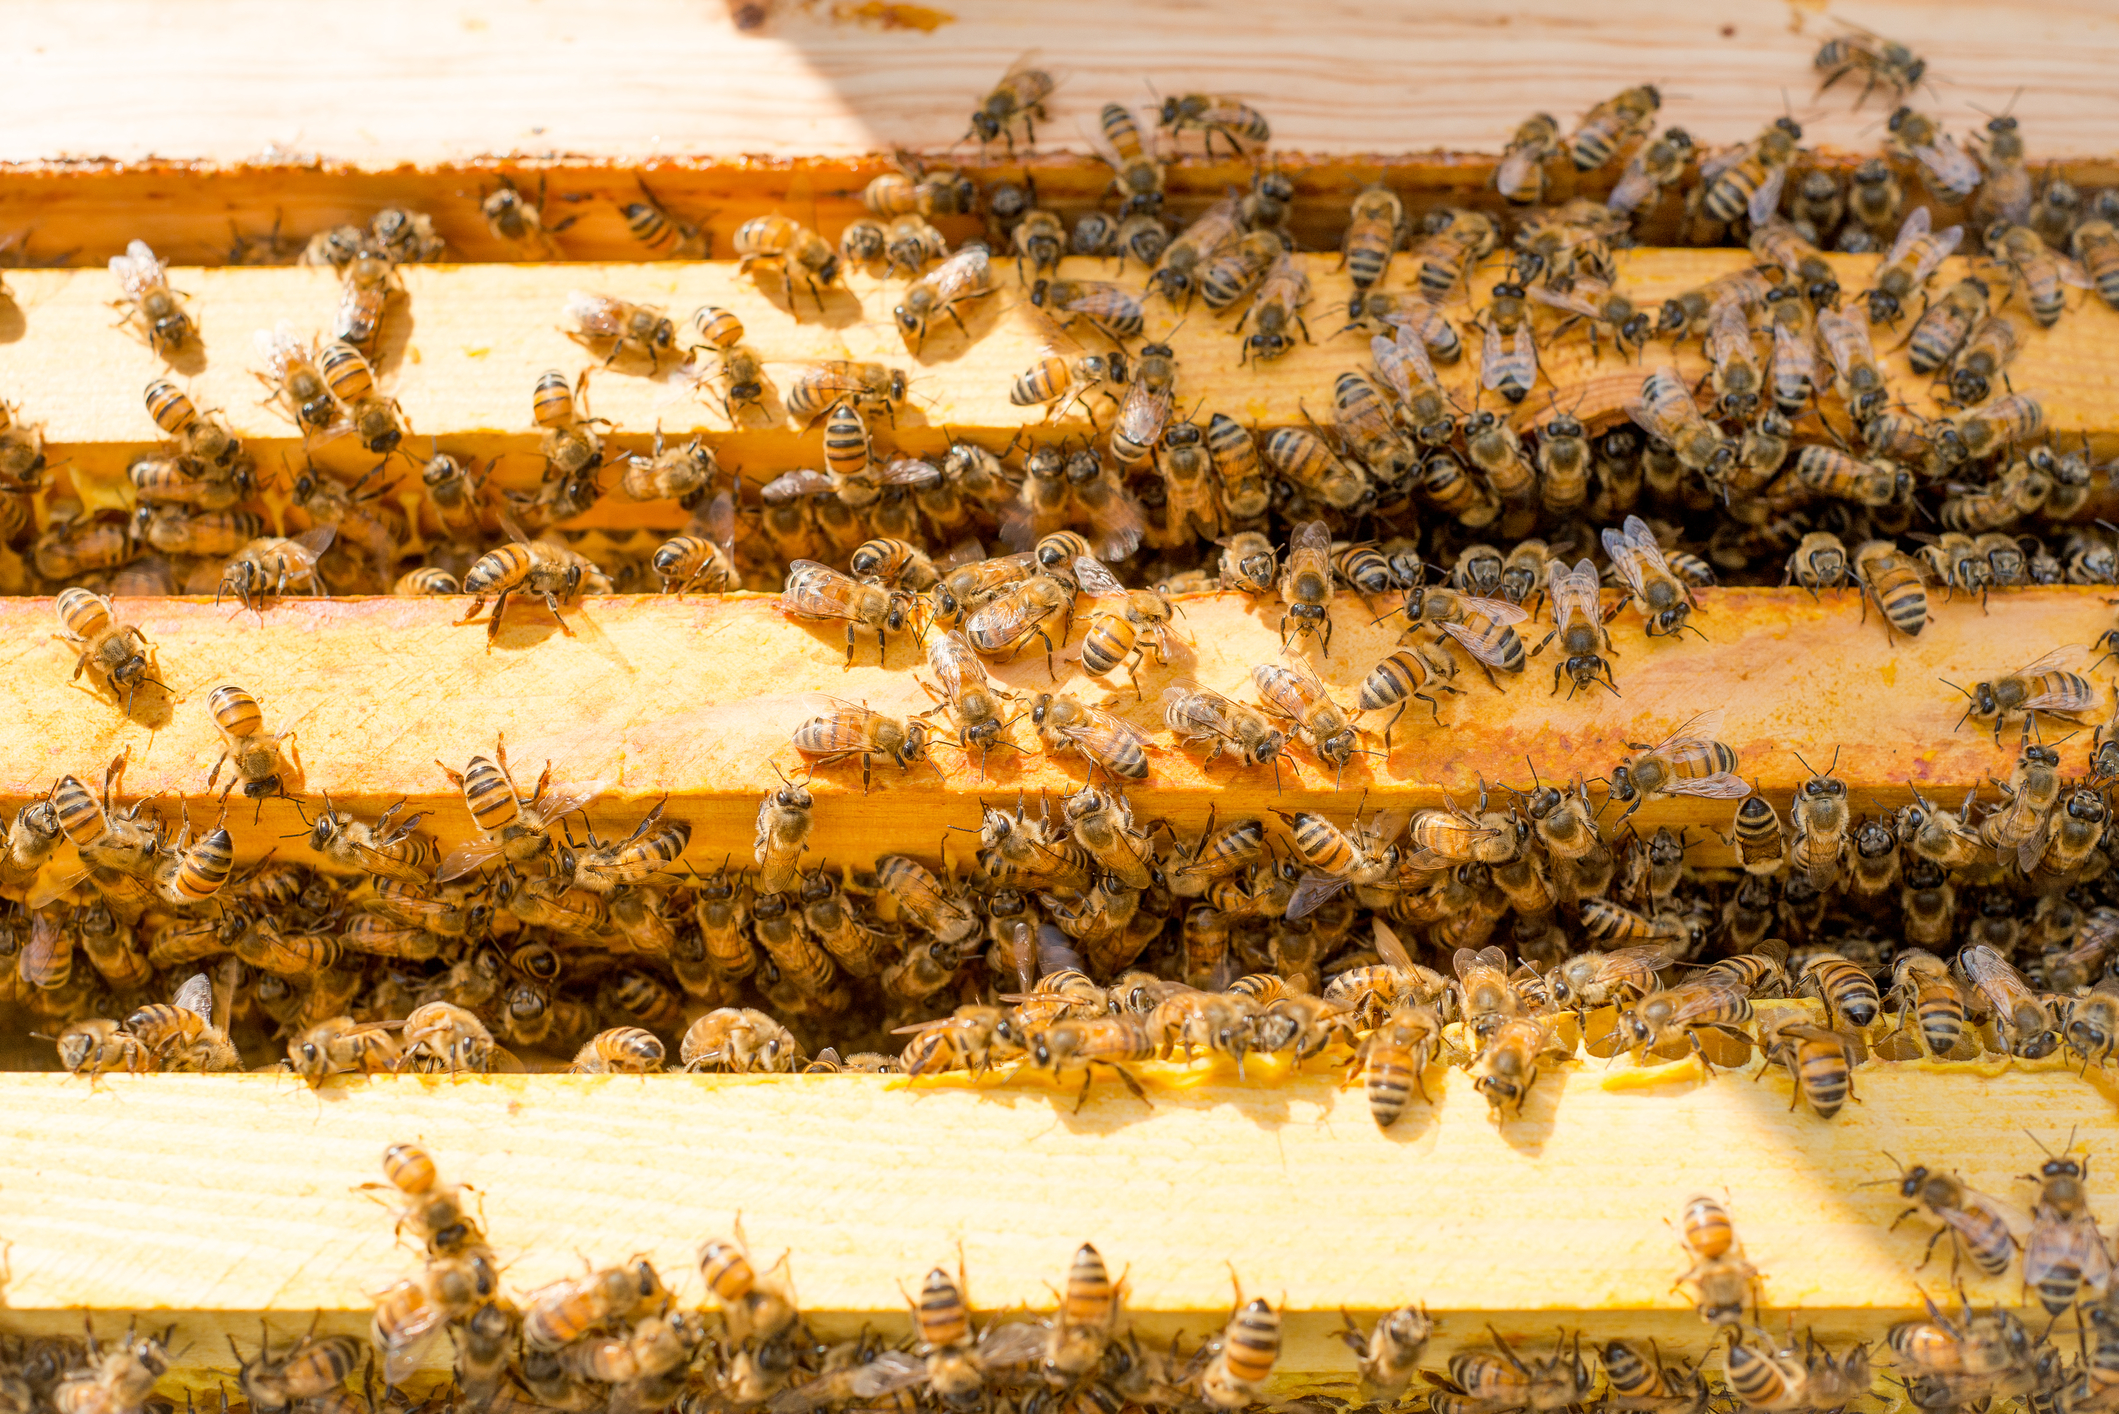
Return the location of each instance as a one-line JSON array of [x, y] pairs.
[[840, 79]]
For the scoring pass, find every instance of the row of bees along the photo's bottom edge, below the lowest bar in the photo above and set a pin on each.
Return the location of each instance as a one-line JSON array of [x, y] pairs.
[[616, 1339]]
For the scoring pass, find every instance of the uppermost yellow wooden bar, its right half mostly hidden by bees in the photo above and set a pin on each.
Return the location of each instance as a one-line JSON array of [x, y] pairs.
[[465, 349]]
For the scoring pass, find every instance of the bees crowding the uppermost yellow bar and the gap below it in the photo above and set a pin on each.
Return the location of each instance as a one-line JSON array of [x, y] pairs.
[[1741, 480]]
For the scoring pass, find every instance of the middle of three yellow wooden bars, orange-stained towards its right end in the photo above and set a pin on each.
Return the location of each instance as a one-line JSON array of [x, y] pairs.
[[696, 701]]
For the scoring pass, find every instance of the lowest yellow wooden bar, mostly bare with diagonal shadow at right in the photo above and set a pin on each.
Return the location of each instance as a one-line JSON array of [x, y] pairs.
[[217, 1201]]
